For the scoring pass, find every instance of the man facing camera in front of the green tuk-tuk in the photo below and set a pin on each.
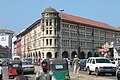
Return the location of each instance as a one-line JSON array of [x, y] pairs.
[[43, 74]]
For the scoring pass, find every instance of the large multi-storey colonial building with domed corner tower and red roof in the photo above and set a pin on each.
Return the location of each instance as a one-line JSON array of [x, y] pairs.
[[60, 35]]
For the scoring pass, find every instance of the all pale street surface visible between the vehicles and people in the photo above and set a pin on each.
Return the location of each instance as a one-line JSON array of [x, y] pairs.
[[81, 76]]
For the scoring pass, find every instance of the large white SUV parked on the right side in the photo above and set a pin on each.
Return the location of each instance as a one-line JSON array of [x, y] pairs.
[[100, 65]]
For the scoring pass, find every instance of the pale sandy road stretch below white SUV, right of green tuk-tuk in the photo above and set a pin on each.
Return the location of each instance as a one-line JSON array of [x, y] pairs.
[[84, 76]]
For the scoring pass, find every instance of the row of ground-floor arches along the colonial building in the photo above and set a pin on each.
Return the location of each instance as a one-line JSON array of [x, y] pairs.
[[65, 54]]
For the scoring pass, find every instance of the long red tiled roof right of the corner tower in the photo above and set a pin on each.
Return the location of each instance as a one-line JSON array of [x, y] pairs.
[[86, 21]]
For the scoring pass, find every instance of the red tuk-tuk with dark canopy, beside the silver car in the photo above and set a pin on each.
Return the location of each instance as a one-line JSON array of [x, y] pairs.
[[12, 67]]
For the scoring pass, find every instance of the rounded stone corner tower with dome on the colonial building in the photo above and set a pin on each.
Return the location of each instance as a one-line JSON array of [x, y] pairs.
[[50, 29]]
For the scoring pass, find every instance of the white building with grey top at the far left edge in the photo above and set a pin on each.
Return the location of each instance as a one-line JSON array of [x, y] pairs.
[[6, 43]]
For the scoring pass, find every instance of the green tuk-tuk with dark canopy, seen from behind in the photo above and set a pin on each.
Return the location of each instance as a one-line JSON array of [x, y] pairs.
[[58, 69]]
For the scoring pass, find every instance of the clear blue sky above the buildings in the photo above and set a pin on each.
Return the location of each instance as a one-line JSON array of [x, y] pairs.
[[17, 15]]
